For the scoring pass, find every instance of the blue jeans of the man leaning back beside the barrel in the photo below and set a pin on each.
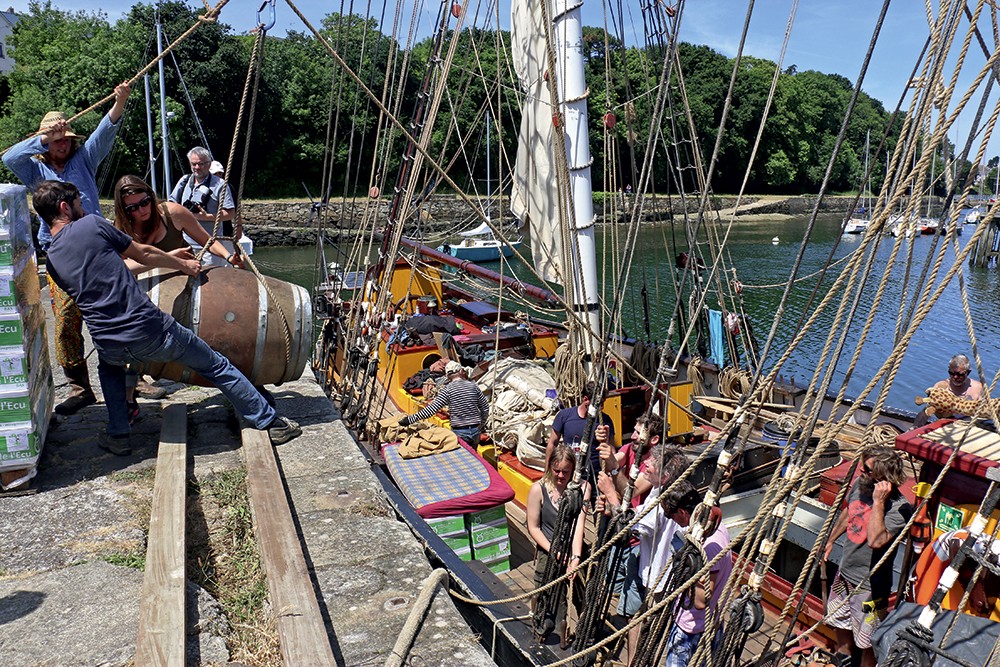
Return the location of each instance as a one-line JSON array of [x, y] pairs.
[[178, 344]]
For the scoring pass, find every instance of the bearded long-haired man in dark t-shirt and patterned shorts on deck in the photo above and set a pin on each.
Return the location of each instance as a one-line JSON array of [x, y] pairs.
[[876, 513]]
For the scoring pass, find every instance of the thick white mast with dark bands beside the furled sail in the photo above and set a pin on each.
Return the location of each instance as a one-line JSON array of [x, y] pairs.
[[568, 33]]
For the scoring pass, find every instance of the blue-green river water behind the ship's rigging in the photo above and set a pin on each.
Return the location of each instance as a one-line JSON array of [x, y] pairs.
[[763, 268]]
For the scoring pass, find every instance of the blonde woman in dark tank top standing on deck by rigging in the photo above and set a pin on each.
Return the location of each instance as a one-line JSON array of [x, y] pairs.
[[542, 513]]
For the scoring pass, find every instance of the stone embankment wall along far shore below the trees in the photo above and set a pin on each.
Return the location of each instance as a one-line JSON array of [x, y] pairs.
[[294, 223]]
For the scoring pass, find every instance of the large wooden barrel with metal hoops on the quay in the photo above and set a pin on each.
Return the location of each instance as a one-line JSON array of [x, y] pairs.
[[231, 311]]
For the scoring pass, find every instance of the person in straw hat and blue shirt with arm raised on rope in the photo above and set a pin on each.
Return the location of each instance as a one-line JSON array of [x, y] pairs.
[[58, 153]]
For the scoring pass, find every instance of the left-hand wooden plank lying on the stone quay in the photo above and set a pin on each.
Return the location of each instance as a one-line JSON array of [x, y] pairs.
[[161, 639]]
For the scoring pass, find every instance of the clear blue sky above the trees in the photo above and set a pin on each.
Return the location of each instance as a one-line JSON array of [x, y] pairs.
[[829, 36]]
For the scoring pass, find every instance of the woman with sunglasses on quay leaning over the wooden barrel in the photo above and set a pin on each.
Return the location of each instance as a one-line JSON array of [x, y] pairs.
[[160, 224]]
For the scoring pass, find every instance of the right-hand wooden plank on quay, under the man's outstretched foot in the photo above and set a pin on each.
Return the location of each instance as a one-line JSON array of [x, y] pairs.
[[301, 631]]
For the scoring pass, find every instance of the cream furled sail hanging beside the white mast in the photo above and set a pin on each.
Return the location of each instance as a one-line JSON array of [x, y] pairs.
[[534, 197]]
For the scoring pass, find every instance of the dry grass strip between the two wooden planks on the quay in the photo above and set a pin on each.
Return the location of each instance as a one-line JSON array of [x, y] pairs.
[[223, 559]]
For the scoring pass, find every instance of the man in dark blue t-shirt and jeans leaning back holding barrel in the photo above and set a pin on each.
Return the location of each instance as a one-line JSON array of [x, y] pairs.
[[85, 260]]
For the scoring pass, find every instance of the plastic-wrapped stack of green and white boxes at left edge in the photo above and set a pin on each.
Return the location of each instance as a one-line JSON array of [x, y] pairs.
[[26, 389]]
